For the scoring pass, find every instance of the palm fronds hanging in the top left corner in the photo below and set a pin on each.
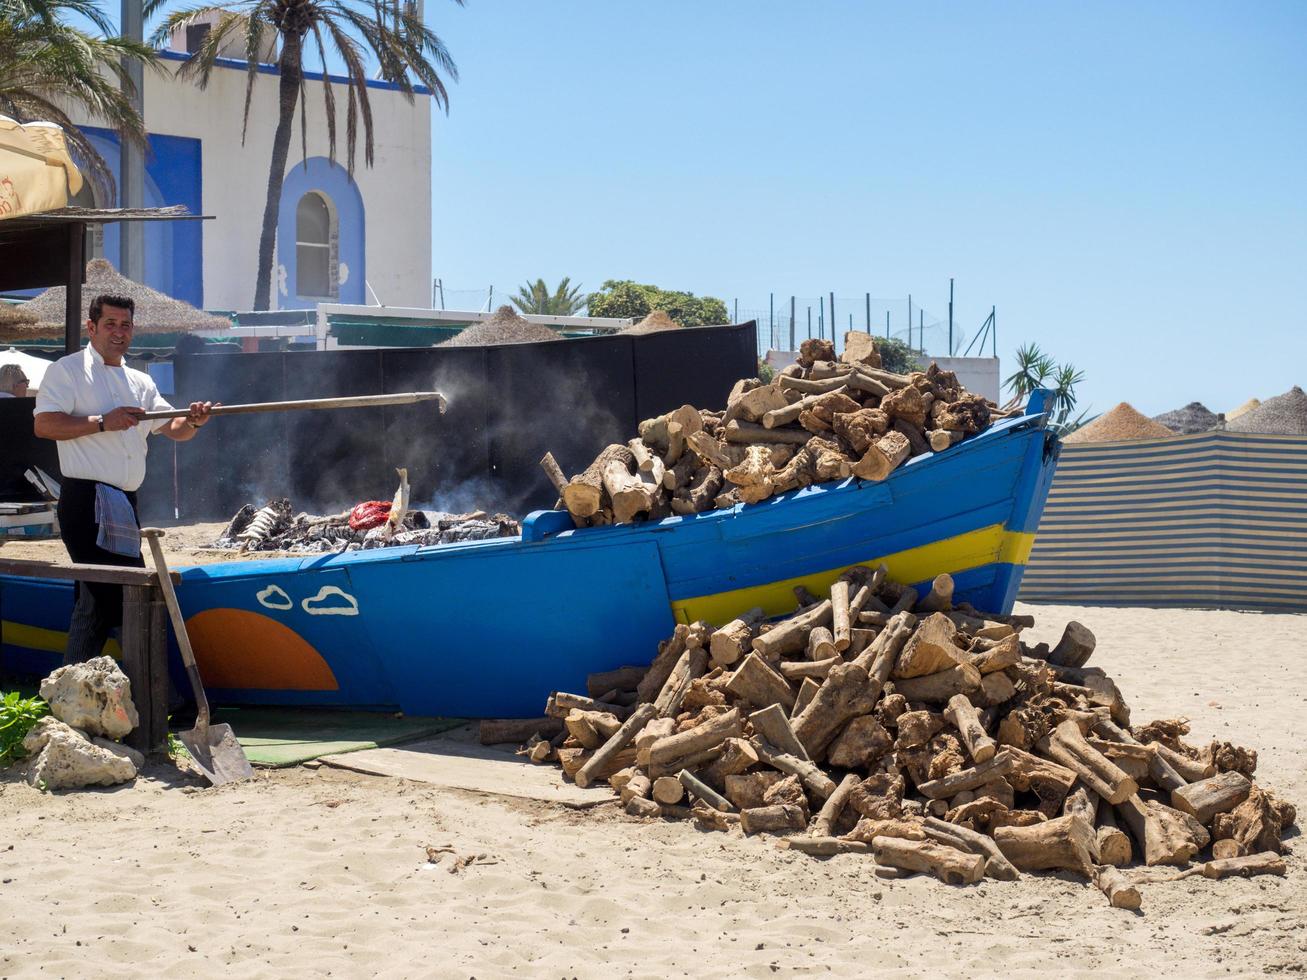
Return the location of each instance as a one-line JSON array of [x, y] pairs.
[[48, 66]]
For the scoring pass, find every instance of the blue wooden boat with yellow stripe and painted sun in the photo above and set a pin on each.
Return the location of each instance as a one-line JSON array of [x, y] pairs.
[[489, 628]]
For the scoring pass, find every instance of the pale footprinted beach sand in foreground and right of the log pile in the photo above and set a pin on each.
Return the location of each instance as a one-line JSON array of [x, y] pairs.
[[310, 872]]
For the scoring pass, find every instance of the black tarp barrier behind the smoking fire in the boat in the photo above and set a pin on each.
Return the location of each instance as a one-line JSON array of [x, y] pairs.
[[508, 407]]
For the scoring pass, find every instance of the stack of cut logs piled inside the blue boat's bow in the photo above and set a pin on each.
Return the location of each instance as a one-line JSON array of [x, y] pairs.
[[820, 420]]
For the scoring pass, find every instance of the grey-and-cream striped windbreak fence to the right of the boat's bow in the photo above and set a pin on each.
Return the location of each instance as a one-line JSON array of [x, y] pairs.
[[1217, 519]]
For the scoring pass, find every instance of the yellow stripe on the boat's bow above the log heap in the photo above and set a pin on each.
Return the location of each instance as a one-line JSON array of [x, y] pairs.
[[953, 555]]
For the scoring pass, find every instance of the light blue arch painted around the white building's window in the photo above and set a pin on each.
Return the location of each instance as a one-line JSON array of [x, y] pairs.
[[334, 182]]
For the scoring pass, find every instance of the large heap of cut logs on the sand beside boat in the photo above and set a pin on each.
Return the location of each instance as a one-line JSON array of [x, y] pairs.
[[927, 735]]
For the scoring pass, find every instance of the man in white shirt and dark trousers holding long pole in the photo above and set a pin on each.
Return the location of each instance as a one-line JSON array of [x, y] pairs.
[[92, 406]]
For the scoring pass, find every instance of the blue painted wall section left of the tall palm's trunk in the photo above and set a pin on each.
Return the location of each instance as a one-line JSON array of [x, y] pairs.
[[174, 250]]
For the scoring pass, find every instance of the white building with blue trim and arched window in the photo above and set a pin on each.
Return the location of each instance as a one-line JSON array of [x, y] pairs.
[[338, 235]]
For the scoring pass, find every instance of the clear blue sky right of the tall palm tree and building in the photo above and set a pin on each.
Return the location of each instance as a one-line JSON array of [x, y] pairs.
[[1127, 182]]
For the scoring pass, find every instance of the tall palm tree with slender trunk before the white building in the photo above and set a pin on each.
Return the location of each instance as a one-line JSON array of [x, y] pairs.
[[391, 32]]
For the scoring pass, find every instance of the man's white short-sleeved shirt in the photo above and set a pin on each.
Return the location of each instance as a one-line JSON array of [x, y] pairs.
[[83, 385]]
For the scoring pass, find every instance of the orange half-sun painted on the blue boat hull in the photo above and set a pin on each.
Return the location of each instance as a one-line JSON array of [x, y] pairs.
[[249, 651]]
